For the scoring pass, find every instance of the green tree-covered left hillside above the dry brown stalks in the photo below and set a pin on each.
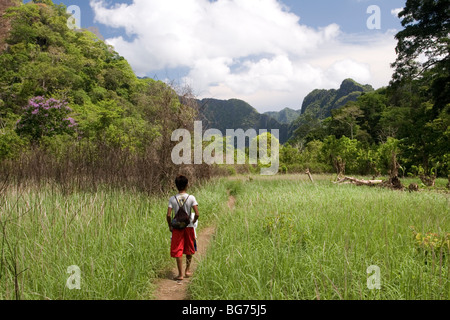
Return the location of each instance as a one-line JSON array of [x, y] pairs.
[[112, 107]]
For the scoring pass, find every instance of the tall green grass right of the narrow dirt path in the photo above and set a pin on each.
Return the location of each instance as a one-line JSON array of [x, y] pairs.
[[290, 239]]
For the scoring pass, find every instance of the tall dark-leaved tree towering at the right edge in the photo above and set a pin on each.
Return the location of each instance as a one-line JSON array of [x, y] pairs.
[[421, 82]]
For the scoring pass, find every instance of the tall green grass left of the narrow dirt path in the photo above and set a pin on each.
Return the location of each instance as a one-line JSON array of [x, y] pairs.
[[118, 239]]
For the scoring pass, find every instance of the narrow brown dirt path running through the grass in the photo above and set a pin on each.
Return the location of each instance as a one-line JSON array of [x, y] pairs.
[[167, 288]]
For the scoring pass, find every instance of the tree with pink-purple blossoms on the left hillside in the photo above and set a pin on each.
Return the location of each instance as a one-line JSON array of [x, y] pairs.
[[45, 117]]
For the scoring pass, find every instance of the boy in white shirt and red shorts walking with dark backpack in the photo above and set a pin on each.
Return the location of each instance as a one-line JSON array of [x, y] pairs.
[[183, 241]]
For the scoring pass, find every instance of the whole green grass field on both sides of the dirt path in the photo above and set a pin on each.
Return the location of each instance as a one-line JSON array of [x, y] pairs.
[[286, 239]]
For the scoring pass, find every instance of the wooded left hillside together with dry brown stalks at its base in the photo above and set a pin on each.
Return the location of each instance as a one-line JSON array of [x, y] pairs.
[[114, 128]]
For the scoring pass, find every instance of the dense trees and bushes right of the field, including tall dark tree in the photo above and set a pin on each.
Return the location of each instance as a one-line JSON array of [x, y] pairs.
[[410, 117]]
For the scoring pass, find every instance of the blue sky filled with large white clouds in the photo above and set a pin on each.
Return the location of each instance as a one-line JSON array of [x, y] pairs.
[[270, 53]]
